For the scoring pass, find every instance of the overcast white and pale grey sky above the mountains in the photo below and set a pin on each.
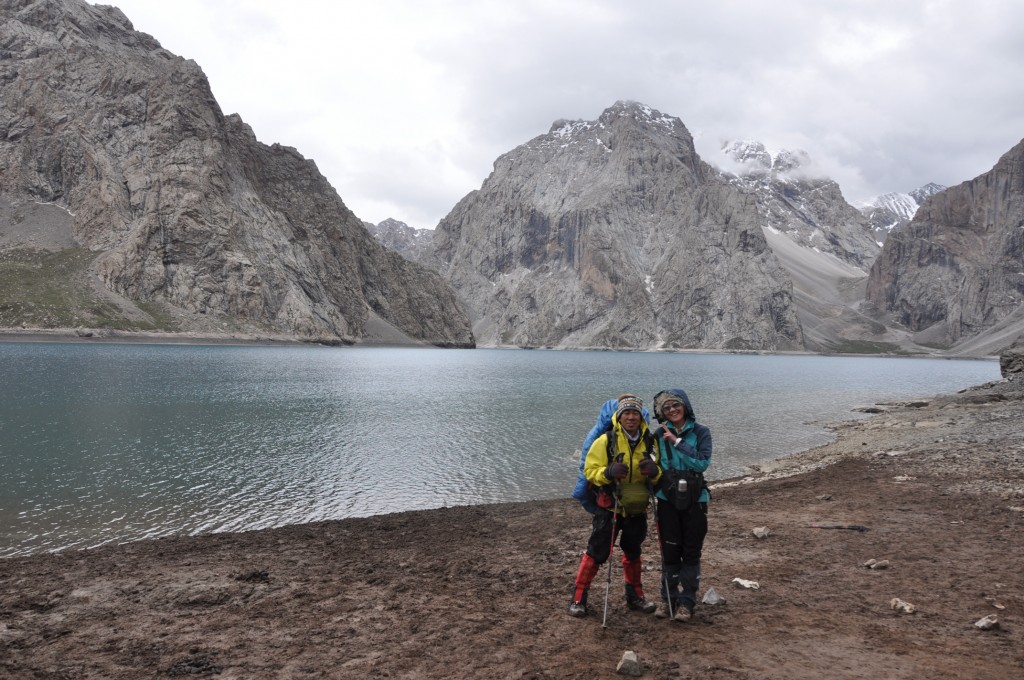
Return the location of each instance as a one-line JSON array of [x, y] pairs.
[[405, 105]]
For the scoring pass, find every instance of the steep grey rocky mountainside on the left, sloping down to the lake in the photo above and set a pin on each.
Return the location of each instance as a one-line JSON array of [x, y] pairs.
[[183, 205]]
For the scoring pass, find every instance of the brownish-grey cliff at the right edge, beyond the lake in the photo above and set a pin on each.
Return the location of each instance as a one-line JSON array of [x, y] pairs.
[[957, 270]]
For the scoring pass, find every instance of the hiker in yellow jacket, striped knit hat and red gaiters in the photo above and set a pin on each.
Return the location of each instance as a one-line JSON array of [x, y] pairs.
[[621, 467]]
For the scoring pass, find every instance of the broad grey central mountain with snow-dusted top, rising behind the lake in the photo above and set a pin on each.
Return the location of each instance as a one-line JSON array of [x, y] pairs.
[[615, 234]]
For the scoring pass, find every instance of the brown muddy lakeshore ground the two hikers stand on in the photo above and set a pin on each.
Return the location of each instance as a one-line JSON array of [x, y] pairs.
[[482, 592]]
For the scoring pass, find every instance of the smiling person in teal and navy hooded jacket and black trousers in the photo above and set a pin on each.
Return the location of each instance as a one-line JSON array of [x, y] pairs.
[[685, 453]]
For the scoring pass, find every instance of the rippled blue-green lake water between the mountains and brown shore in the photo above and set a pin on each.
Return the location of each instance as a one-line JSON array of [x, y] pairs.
[[103, 443]]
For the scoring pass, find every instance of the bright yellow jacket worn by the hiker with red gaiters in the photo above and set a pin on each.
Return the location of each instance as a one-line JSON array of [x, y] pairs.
[[634, 492]]
